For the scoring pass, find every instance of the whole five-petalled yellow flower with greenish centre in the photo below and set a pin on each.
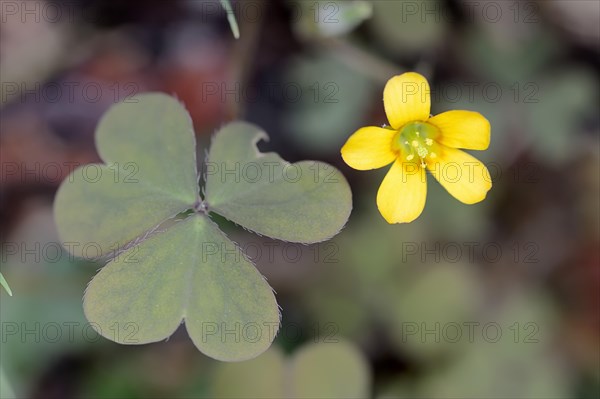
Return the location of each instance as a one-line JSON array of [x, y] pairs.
[[416, 141]]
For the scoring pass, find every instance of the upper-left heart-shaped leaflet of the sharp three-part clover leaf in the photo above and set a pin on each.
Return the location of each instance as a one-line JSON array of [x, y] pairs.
[[149, 175]]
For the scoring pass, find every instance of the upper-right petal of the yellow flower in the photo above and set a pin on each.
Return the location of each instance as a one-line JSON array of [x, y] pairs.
[[462, 129]]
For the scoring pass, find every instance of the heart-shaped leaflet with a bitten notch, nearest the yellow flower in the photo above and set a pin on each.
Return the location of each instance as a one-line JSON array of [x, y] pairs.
[[305, 202]]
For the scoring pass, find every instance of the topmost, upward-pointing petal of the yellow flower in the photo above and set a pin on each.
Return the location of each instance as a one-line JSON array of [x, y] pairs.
[[406, 98]]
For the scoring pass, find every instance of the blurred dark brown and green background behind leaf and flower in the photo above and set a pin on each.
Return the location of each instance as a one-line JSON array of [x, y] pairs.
[[495, 300]]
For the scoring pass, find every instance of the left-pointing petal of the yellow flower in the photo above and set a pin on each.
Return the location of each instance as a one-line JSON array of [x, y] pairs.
[[369, 148]]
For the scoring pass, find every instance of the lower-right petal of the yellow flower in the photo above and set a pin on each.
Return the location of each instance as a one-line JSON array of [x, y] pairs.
[[462, 175]]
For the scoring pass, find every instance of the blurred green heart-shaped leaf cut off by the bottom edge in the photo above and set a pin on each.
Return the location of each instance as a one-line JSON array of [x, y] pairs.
[[324, 370]]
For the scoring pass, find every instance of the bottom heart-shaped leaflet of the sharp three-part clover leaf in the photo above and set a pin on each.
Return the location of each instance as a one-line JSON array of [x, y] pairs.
[[193, 272]]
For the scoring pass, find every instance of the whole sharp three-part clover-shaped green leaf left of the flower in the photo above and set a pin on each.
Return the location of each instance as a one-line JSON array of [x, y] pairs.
[[168, 261]]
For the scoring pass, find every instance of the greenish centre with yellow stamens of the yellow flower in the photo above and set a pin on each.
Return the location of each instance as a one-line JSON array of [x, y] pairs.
[[416, 141]]
